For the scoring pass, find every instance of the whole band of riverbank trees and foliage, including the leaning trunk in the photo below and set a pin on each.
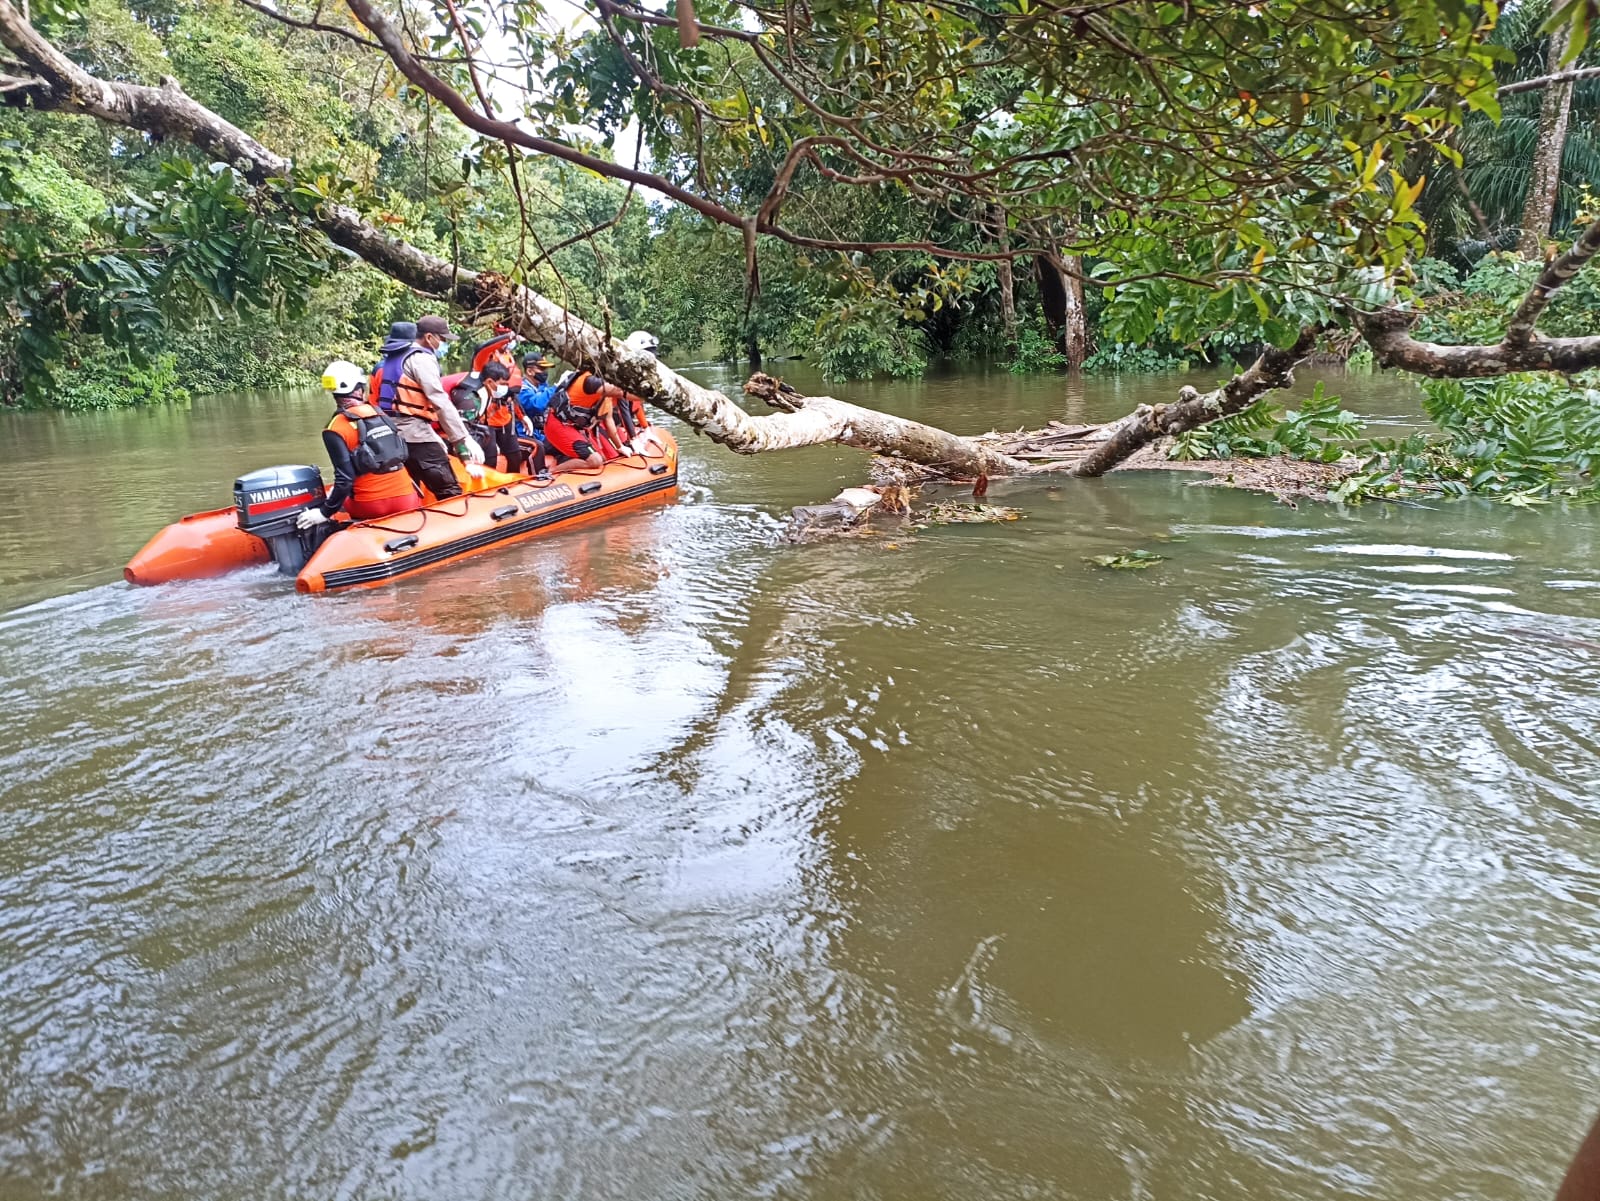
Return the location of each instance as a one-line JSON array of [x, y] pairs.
[[1119, 186]]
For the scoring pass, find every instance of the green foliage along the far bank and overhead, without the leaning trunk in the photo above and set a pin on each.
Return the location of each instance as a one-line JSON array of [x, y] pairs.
[[1223, 199]]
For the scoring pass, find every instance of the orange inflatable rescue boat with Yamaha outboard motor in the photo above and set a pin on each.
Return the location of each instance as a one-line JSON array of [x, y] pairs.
[[500, 509]]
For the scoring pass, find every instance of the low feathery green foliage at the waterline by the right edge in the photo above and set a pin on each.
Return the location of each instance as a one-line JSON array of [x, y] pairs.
[[1518, 439]]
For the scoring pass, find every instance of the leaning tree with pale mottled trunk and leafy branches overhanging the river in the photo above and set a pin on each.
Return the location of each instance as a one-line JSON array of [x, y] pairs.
[[1225, 167]]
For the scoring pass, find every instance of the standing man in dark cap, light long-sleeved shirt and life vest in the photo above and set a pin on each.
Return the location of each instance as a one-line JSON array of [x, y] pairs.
[[407, 386]]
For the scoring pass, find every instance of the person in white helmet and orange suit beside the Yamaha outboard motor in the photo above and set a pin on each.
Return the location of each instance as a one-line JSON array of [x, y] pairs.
[[367, 452]]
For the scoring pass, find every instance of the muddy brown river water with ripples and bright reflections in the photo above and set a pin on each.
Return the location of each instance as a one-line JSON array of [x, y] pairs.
[[663, 861]]
